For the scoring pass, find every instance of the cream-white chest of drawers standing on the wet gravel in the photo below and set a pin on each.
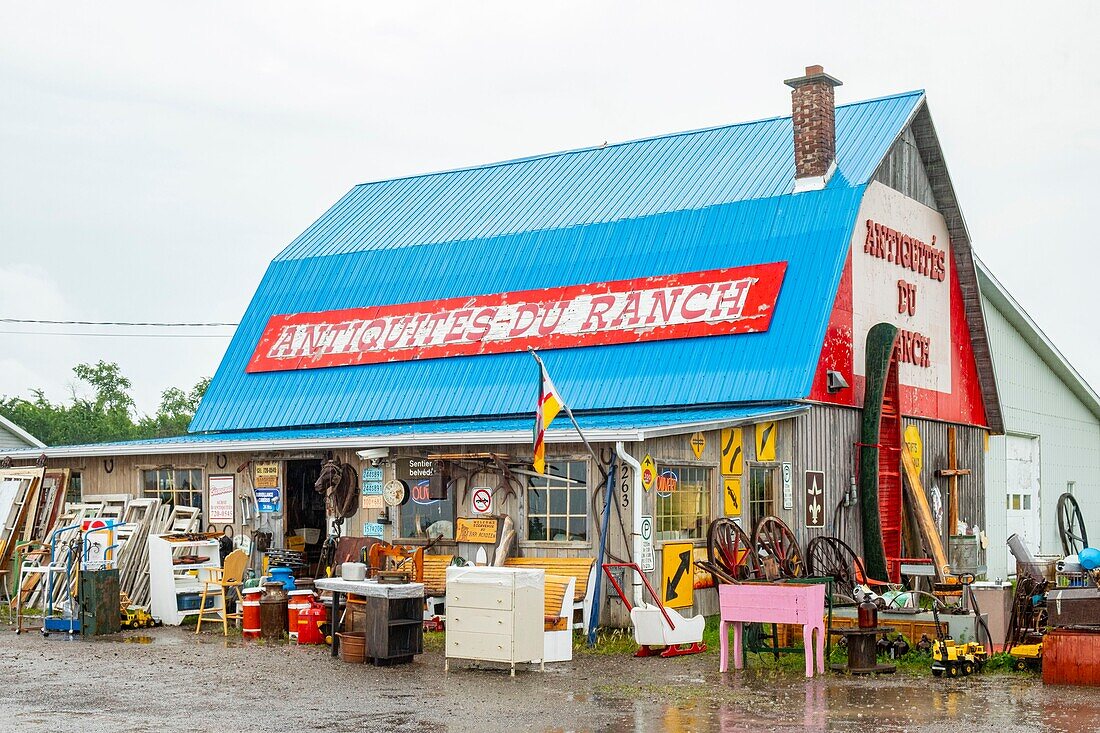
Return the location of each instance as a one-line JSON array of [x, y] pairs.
[[496, 615]]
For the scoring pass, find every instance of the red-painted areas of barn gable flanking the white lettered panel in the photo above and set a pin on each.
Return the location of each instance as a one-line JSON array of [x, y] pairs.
[[964, 406]]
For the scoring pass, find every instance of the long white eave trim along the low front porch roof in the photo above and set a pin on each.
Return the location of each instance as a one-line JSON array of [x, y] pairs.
[[409, 440]]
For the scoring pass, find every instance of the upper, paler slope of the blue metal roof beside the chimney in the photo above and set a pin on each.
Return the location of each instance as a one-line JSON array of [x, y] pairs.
[[599, 185]]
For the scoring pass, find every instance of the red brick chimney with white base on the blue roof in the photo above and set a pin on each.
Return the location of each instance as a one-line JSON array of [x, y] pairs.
[[812, 113]]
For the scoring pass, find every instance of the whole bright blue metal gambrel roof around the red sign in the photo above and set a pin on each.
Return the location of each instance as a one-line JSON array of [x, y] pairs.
[[691, 202]]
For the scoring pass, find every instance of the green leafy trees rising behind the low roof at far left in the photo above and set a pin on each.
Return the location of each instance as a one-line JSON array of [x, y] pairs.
[[107, 415]]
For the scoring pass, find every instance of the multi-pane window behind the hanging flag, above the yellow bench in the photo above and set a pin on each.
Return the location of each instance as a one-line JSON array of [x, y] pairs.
[[558, 504]]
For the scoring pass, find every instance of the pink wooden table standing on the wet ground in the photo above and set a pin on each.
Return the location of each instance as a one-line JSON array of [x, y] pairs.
[[776, 604]]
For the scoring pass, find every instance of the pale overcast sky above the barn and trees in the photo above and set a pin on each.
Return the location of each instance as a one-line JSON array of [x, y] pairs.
[[155, 158]]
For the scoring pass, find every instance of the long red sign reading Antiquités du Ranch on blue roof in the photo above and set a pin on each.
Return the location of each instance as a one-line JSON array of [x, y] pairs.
[[689, 305]]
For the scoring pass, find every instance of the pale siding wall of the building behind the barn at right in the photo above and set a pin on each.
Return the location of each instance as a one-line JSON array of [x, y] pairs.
[[1038, 403]]
